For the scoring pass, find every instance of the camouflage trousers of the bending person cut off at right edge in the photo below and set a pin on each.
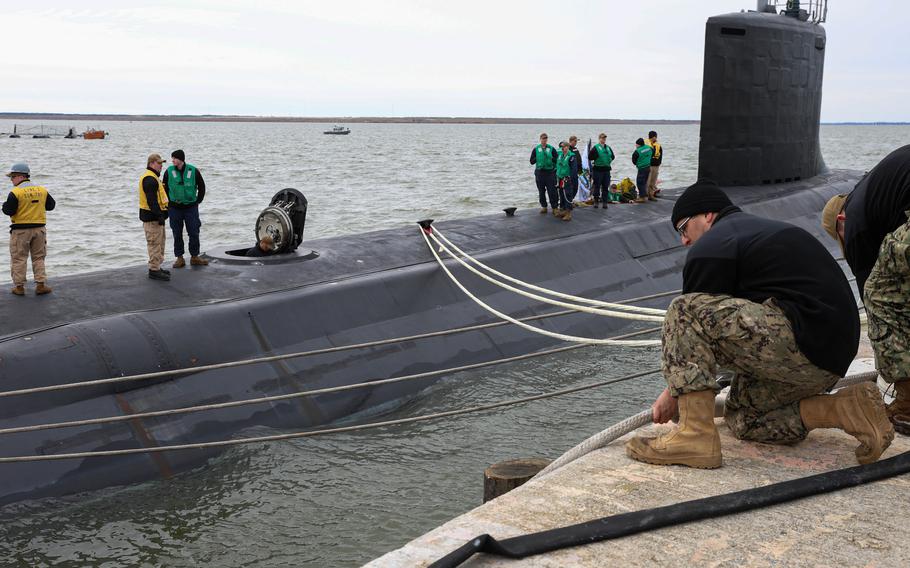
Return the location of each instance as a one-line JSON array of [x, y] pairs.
[[887, 300]]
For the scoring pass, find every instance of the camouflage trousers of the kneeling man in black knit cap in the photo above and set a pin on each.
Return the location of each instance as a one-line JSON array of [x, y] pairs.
[[705, 332]]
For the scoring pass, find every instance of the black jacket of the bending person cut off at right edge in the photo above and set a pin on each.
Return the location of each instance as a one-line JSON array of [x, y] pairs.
[[874, 208]]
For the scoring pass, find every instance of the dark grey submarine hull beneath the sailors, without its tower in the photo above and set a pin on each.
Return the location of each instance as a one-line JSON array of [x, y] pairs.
[[354, 289]]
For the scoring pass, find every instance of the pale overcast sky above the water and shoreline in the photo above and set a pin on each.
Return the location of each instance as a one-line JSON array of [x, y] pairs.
[[599, 58]]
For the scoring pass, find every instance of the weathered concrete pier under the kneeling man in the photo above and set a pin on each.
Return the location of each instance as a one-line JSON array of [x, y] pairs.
[[862, 526]]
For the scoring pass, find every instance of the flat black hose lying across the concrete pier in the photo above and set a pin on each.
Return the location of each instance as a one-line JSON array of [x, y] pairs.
[[640, 521]]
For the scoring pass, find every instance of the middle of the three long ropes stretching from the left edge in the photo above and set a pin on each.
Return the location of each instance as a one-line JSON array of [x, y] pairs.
[[300, 394]]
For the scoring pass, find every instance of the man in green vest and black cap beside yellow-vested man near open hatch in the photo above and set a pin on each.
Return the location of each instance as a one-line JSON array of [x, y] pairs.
[[185, 190]]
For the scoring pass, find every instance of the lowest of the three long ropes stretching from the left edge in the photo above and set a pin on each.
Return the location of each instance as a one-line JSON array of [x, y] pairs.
[[310, 433]]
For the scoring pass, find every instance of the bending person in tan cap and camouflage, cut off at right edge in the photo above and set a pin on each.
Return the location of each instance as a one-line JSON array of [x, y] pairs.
[[871, 224]]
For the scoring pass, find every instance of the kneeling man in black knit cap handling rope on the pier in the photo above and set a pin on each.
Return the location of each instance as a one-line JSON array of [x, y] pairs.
[[765, 299]]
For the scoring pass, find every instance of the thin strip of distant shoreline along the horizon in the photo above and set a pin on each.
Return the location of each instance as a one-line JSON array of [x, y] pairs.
[[366, 119]]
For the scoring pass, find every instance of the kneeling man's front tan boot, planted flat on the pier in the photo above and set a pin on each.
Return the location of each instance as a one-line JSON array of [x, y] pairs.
[[694, 442]]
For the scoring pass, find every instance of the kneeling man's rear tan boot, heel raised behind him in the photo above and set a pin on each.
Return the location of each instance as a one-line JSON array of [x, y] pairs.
[[859, 411]]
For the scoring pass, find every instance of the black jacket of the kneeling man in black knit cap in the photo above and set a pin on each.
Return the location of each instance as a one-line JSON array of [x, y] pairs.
[[755, 259]]
